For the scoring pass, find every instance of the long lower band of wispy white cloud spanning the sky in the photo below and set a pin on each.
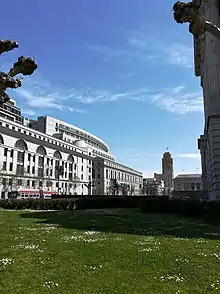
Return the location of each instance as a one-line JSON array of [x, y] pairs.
[[37, 94]]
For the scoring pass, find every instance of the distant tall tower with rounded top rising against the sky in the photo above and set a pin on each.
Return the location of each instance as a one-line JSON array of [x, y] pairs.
[[167, 169]]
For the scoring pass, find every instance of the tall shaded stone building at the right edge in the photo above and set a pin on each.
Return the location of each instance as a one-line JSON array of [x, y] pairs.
[[207, 67]]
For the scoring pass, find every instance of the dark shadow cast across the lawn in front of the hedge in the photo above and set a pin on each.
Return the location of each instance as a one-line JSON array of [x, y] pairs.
[[127, 222]]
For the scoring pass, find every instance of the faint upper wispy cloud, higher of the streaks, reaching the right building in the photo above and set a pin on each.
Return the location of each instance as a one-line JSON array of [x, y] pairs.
[[141, 46]]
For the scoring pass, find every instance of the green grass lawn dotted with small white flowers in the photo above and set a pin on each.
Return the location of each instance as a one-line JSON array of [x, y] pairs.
[[107, 251]]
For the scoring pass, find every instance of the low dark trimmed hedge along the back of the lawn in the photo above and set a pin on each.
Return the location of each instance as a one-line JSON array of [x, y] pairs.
[[189, 208]]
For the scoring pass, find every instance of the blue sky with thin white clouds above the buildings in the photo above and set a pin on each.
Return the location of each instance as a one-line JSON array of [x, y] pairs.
[[122, 70]]
